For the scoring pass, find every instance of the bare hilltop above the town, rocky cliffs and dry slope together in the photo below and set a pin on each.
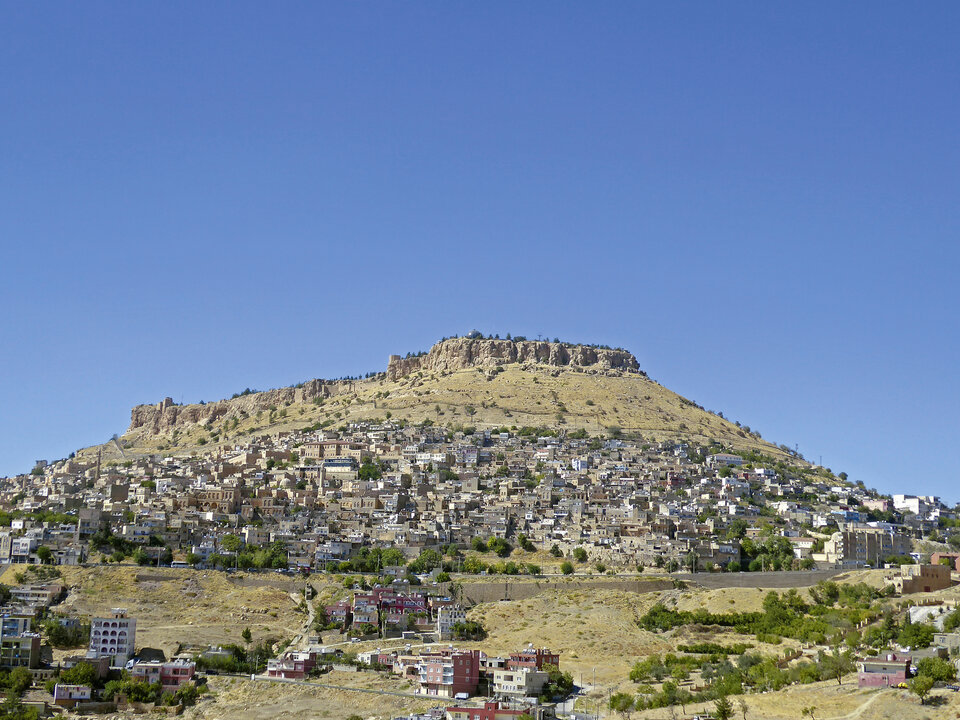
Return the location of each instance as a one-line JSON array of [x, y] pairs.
[[459, 382]]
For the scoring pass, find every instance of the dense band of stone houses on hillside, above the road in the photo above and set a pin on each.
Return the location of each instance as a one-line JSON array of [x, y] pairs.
[[317, 498]]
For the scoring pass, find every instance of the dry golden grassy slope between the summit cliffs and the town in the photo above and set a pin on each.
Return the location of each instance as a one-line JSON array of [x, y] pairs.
[[530, 394]]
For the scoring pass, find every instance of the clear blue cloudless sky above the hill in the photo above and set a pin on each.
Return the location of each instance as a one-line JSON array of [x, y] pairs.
[[760, 200]]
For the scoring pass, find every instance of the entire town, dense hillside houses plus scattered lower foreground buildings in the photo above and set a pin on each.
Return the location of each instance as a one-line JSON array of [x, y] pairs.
[[403, 510]]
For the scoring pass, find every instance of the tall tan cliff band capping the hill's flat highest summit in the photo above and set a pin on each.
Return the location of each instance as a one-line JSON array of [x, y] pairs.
[[460, 353]]
